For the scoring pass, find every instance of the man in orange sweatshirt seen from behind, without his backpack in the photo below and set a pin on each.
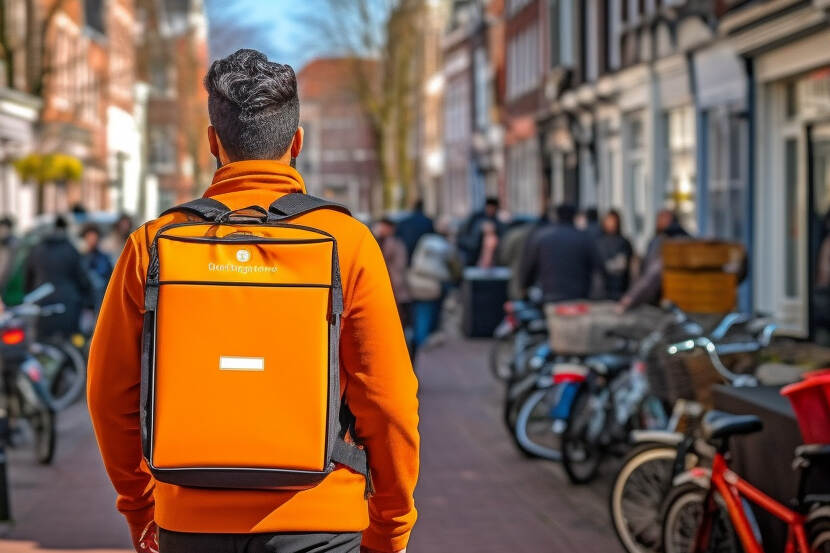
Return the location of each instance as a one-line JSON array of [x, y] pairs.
[[254, 134]]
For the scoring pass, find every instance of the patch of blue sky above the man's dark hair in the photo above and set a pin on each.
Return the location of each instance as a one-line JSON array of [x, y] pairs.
[[280, 28]]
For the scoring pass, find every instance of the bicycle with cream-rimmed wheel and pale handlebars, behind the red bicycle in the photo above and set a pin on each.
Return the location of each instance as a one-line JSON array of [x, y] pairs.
[[645, 476]]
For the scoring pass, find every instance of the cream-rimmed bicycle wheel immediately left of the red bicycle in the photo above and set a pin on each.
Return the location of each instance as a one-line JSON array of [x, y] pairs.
[[637, 496]]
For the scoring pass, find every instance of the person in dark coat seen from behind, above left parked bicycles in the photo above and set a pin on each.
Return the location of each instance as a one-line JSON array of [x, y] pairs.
[[55, 260]]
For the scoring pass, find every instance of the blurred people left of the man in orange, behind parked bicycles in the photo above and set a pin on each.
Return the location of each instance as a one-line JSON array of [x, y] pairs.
[[74, 252]]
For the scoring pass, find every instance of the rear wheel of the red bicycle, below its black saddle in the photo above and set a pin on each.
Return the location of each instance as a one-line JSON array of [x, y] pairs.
[[683, 517]]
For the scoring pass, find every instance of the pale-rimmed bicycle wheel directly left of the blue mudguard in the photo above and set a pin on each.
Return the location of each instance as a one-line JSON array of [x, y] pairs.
[[534, 432]]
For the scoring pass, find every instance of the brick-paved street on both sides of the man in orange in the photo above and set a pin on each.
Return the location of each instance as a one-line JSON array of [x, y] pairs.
[[476, 493]]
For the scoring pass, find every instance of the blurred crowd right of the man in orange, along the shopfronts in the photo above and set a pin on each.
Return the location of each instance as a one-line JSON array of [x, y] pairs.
[[563, 255]]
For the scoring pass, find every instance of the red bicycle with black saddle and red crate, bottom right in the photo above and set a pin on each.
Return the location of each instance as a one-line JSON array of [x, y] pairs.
[[709, 510]]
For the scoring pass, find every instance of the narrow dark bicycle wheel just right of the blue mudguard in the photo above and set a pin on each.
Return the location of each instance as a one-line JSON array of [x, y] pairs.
[[581, 454]]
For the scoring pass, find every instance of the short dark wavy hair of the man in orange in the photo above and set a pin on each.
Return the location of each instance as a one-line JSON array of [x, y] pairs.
[[253, 105]]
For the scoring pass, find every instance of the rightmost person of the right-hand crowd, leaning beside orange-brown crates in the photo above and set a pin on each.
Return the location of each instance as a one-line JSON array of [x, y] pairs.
[[648, 287]]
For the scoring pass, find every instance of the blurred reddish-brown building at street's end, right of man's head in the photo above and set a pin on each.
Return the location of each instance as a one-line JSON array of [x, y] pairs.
[[338, 161]]
